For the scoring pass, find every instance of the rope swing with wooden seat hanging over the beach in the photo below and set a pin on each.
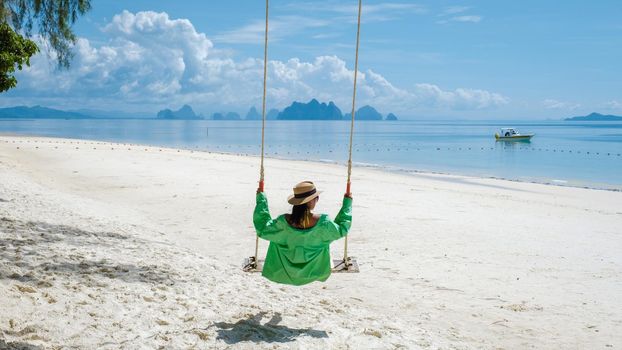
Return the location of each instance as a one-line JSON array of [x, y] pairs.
[[347, 264]]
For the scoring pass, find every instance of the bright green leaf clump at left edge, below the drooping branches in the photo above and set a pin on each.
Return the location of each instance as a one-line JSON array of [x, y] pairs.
[[15, 51]]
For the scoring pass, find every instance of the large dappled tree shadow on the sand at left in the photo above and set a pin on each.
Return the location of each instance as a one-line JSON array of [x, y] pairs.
[[28, 255]]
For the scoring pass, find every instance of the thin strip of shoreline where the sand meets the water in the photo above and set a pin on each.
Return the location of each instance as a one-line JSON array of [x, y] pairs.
[[385, 168]]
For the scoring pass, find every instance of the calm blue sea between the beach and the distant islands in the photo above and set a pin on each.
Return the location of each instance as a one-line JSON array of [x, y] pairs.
[[565, 153]]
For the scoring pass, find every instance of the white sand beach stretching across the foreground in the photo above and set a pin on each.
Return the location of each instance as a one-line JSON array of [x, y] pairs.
[[110, 246]]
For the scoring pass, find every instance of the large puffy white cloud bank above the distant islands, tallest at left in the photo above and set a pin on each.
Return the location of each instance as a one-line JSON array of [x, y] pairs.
[[151, 61]]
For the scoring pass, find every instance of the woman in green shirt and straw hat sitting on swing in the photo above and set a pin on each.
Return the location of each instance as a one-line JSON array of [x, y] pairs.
[[299, 242]]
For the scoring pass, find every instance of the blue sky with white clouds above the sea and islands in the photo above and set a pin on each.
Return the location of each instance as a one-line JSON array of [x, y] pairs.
[[429, 59]]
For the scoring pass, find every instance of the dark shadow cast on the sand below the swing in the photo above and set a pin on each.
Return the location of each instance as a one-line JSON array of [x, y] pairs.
[[251, 329]]
